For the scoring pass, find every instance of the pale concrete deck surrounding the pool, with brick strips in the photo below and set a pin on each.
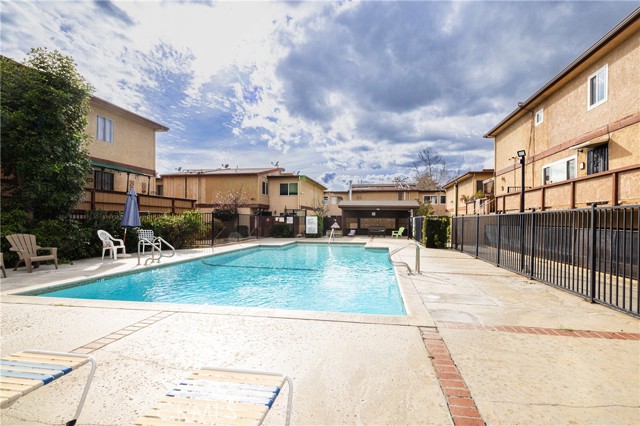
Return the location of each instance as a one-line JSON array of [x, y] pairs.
[[481, 345]]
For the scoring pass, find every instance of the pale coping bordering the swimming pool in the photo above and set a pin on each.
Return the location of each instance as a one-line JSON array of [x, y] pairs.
[[416, 312]]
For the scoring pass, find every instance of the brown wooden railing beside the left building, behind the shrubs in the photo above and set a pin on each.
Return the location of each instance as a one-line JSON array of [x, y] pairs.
[[113, 201]]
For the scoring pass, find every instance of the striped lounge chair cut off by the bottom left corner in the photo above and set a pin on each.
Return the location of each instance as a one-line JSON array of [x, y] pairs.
[[23, 372]]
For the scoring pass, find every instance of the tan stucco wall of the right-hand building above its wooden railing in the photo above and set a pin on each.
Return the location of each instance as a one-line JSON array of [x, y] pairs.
[[567, 119]]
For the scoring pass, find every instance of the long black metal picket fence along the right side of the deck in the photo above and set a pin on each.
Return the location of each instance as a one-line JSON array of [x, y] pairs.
[[594, 252]]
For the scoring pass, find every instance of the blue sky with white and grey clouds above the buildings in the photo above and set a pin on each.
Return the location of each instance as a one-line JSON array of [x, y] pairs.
[[338, 91]]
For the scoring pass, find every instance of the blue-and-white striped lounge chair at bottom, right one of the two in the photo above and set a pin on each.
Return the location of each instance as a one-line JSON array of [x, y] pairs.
[[219, 396]]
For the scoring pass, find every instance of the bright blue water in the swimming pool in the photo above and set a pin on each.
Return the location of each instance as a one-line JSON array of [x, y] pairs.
[[313, 277]]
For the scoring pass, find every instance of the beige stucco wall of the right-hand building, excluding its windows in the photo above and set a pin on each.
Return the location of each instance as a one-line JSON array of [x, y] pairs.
[[568, 122]]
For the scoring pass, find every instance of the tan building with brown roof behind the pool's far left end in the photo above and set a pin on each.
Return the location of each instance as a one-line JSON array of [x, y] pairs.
[[258, 189]]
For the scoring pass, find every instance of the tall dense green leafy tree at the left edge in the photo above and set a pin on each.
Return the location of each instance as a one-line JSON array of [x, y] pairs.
[[44, 109]]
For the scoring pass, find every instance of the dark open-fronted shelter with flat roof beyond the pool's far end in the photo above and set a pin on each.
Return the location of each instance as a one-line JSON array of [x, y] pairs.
[[364, 214]]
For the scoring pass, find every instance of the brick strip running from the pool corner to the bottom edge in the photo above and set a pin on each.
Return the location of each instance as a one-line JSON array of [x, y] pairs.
[[461, 405]]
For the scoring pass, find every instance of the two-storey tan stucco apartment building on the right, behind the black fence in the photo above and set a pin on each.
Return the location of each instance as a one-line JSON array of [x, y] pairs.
[[579, 133]]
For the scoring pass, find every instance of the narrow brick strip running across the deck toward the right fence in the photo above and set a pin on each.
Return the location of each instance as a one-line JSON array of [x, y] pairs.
[[541, 331]]
